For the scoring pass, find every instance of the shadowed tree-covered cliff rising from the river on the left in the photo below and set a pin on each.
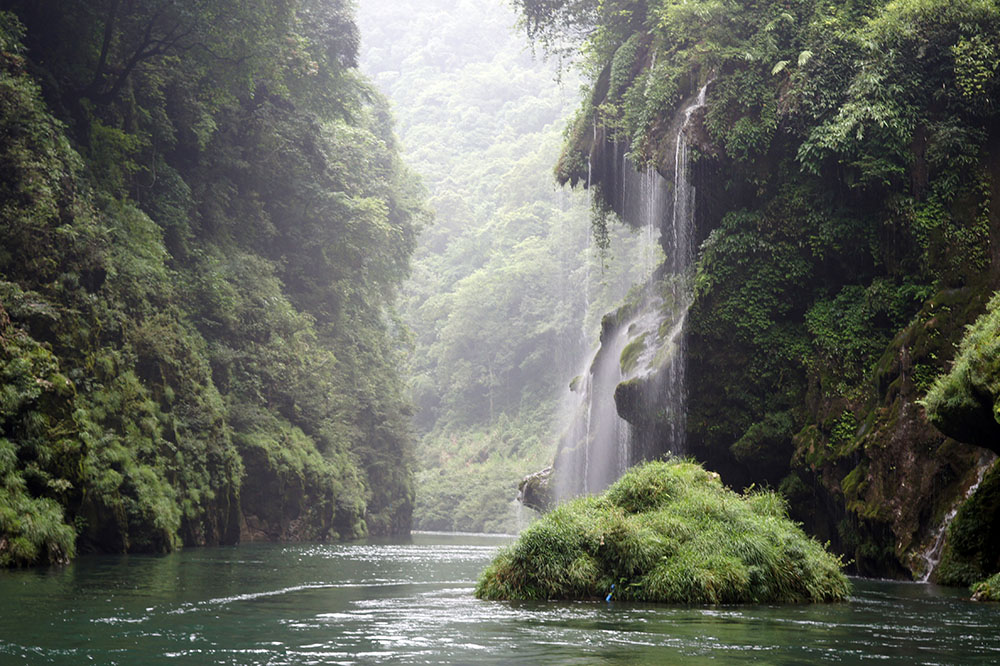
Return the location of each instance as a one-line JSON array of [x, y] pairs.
[[204, 221]]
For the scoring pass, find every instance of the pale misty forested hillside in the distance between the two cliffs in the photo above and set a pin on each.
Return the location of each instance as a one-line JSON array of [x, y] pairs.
[[506, 294]]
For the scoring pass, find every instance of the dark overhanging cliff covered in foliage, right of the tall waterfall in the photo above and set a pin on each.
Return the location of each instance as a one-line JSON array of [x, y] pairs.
[[847, 169]]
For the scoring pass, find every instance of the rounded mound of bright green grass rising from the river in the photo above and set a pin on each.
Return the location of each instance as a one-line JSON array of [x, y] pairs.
[[668, 532]]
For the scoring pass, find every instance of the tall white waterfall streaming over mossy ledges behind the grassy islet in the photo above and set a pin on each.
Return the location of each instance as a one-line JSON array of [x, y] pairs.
[[644, 348]]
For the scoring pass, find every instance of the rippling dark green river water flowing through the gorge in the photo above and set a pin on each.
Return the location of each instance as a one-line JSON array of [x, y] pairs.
[[410, 602]]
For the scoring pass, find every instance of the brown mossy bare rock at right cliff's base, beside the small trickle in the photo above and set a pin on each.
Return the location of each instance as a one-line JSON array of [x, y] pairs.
[[894, 475]]
